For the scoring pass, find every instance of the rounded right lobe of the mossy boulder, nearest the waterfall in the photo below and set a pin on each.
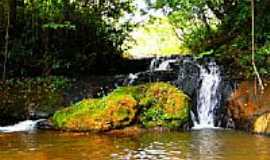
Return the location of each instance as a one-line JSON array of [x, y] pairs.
[[165, 106]]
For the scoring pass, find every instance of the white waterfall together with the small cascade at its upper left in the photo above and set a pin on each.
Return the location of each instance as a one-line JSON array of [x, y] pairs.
[[208, 80]]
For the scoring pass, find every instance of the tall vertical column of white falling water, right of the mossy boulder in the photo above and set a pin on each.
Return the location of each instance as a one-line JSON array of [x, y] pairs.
[[207, 98]]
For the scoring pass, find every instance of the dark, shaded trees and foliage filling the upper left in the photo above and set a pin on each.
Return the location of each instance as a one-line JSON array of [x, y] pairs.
[[61, 35]]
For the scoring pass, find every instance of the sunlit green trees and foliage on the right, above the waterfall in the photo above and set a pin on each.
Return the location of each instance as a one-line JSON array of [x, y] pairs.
[[222, 28]]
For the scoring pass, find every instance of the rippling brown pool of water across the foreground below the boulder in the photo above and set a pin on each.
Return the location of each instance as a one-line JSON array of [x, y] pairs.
[[203, 145]]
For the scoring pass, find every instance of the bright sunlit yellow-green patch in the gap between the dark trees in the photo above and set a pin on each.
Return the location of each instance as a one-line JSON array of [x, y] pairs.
[[156, 37]]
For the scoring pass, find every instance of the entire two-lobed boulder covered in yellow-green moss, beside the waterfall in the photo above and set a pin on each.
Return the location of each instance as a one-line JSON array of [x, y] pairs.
[[149, 105]]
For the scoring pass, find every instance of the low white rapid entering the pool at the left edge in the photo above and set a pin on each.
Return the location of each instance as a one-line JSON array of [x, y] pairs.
[[24, 126]]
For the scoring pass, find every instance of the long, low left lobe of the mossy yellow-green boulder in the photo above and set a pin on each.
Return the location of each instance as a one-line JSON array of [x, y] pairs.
[[108, 113]]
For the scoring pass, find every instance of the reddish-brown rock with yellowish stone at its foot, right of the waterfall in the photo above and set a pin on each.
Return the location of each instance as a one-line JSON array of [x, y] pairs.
[[247, 107]]
